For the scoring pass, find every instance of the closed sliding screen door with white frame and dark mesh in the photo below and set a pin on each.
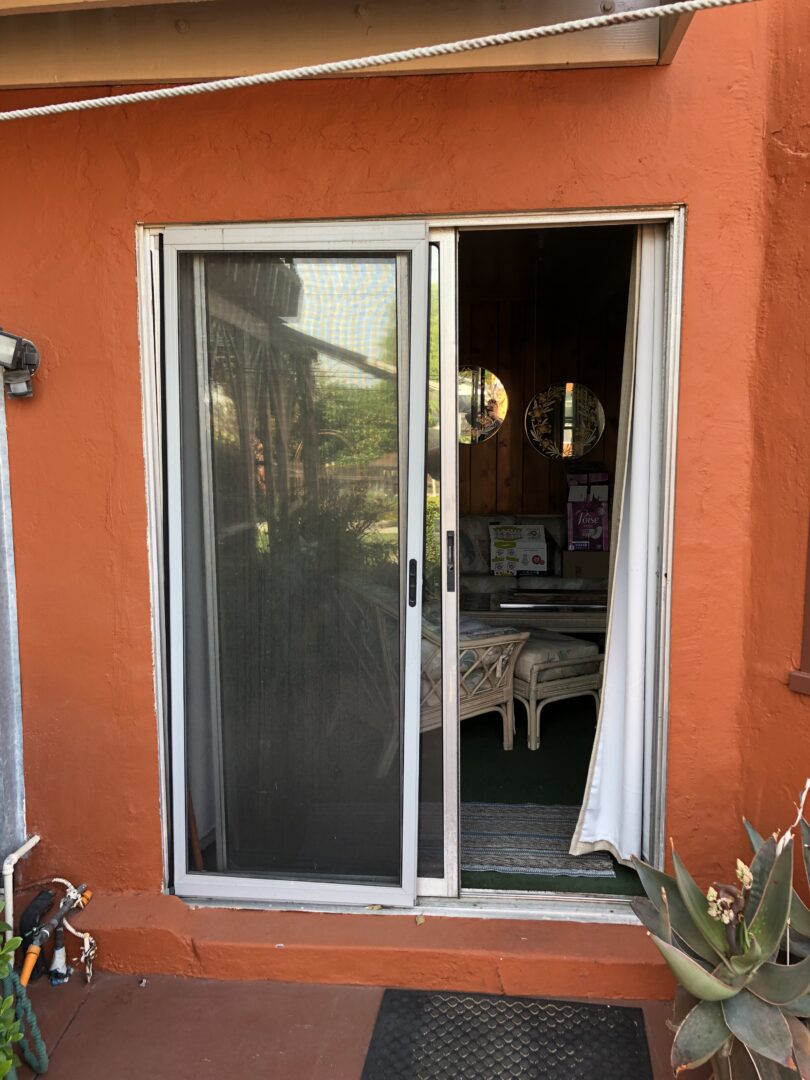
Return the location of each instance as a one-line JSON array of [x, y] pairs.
[[295, 450]]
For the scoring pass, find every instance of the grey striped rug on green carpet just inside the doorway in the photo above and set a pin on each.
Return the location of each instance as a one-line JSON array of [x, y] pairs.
[[525, 839]]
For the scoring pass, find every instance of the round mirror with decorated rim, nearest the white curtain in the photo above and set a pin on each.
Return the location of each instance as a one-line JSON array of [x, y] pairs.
[[565, 422]]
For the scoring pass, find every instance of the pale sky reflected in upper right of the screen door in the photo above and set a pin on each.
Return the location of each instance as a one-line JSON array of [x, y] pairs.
[[349, 303]]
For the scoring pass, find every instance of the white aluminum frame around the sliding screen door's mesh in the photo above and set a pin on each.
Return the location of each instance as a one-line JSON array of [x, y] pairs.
[[403, 238]]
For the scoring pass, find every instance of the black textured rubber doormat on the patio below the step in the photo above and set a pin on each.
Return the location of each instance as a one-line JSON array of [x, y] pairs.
[[441, 1036]]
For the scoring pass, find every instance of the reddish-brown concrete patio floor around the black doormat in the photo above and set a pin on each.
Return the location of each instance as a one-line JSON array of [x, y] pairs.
[[172, 1029]]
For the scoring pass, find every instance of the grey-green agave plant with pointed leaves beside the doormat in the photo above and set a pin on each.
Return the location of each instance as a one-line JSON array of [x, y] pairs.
[[742, 1004]]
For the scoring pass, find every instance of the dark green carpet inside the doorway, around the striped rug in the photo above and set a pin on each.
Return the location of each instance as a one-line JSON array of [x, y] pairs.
[[556, 774]]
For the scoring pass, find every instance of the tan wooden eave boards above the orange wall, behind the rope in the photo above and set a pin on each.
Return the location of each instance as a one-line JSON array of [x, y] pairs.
[[178, 43]]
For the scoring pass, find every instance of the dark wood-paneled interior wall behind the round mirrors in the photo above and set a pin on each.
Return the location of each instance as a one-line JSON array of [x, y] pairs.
[[537, 307]]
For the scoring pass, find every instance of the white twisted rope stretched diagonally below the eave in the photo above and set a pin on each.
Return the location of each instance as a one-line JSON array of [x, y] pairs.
[[382, 60]]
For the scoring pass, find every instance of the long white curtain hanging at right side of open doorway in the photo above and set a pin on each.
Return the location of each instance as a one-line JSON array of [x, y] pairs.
[[616, 809]]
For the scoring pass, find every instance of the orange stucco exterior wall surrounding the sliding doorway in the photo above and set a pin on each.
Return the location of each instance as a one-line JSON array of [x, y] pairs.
[[721, 130]]
